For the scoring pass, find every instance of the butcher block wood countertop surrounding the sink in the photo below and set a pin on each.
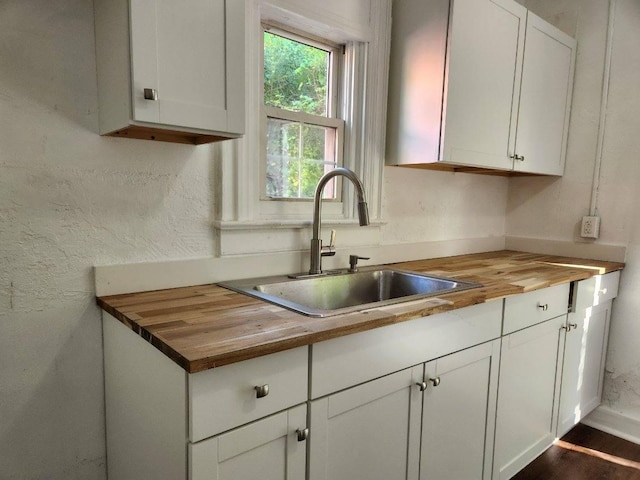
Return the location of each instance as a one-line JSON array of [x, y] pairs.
[[207, 326]]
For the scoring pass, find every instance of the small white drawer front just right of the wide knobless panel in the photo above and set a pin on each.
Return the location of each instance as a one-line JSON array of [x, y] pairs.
[[526, 309]]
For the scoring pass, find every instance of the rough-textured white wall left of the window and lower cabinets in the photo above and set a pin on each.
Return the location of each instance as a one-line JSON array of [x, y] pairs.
[[70, 199]]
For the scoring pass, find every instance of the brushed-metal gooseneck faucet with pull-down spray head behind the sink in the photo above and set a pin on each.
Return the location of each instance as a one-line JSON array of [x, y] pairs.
[[363, 214]]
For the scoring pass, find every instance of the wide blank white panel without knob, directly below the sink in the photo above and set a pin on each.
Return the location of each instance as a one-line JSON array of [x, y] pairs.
[[347, 361]]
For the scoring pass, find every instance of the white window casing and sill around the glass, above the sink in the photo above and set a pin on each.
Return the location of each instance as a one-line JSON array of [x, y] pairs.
[[239, 212]]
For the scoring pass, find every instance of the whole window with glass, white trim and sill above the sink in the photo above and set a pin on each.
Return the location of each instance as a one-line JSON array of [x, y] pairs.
[[255, 212]]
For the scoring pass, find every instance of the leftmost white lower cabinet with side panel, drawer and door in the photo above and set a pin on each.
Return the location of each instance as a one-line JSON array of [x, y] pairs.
[[235, 422]]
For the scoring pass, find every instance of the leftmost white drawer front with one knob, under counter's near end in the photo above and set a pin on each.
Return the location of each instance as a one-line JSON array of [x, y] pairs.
[[225, 397]]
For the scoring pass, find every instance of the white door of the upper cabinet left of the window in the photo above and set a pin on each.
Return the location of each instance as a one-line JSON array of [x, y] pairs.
[[192, 54]]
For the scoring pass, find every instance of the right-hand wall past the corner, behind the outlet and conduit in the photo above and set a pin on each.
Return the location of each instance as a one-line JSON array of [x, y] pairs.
[[553, 208]]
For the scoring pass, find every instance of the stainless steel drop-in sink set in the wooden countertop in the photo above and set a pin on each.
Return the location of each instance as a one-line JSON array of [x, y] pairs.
[[344, 292]]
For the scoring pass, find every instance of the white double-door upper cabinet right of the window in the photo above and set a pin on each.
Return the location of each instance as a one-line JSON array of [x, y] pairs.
[[478, 85]]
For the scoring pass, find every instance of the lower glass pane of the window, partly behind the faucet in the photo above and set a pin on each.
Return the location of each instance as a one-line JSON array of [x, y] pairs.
[[299, 154]]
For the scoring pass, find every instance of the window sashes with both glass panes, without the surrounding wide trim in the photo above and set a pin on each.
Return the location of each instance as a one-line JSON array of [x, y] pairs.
[[303, 137]]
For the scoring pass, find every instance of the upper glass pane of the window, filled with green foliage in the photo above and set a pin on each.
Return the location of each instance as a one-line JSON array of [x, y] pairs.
[[296, 75]]
